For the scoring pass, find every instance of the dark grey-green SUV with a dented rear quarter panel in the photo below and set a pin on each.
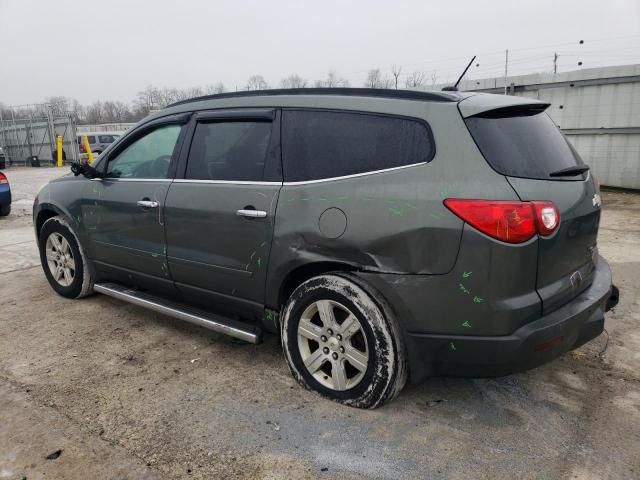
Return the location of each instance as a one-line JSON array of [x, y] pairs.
[[383, 234]]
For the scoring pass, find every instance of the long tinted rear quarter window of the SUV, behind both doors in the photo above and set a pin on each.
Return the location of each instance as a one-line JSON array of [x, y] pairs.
[[319, 144]]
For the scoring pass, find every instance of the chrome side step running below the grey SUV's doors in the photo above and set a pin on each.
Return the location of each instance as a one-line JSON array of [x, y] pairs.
[[217, 323]]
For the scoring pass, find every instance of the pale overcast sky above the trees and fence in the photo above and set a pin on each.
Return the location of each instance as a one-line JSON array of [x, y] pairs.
[[108, 50]]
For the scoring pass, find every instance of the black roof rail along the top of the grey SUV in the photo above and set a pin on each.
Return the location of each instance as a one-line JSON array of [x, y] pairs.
[[352, 92]]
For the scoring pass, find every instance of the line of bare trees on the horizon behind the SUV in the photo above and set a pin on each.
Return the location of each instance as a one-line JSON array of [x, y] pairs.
[[154, 98]]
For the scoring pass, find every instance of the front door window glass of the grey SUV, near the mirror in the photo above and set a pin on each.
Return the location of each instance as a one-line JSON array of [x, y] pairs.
[[148, 156]]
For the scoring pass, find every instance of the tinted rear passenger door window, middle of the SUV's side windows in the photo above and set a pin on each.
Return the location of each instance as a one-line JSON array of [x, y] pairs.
[[229, 151]]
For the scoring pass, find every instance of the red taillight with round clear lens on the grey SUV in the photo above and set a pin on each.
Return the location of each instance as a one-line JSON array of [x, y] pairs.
[[505, 220]]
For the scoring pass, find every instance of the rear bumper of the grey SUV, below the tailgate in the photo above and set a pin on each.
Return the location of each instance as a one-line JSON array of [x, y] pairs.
[[537, 342]]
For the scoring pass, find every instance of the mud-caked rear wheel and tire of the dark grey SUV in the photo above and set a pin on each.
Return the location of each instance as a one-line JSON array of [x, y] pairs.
[[342, 340]]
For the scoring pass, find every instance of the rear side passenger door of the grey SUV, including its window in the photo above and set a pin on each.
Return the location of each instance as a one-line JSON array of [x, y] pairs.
[[219, 216]]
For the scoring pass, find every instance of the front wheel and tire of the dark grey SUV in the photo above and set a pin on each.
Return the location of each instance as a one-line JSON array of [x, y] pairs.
[[63, 259]]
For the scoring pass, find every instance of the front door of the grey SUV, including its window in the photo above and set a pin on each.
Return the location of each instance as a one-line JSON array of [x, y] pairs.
[[123, 210]]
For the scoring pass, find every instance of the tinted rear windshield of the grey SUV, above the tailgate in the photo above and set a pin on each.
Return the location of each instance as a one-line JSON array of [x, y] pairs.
[[523, 144]]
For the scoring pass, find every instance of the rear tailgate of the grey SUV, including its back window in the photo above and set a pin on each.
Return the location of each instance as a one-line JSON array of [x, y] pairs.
[[523, 143]]
